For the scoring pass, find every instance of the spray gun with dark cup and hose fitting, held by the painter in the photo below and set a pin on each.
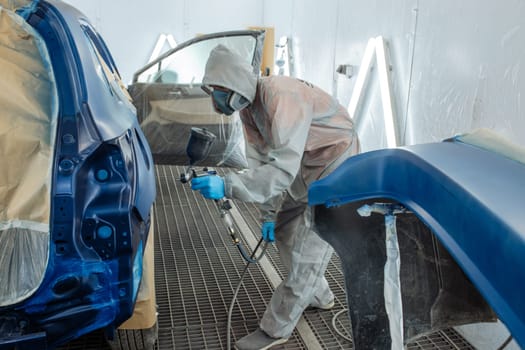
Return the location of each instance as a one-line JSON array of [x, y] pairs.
[[198, 149]]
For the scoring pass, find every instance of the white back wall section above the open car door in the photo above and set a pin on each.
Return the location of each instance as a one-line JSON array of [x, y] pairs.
[[131, 28]]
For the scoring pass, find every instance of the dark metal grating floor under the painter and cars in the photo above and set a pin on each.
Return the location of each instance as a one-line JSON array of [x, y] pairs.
[[197, 271]]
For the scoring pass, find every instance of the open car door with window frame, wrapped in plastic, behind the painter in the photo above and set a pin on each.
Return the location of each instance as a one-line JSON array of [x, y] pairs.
[[169, 99]]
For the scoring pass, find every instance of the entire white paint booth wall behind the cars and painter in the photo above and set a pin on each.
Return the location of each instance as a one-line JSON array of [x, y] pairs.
[[455, 65]]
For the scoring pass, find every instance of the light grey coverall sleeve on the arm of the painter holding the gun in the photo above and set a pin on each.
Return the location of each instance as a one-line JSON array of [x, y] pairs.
[[273, 169]]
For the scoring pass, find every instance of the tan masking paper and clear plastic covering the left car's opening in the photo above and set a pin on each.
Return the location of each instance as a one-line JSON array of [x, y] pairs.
[[28, 101]]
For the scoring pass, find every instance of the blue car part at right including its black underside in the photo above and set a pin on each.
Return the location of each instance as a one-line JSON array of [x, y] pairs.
[[467, 192]]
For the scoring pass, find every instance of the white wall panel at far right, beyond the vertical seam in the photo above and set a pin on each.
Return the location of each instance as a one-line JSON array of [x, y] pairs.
[[467, 69]]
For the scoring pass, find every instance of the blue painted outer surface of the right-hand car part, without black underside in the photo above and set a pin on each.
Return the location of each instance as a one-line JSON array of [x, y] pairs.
[[470, 197]]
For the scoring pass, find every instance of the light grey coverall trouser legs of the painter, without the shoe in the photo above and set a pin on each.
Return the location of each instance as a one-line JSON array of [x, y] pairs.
[[305, 256]]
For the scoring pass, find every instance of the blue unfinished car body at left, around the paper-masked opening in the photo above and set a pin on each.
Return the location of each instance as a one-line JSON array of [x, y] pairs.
[[102, 192]]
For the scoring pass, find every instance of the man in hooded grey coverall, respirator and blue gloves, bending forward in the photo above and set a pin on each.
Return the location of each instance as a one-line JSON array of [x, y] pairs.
[[295, 134]]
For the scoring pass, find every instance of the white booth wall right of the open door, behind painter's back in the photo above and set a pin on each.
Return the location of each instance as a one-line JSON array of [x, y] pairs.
[[455, 65]]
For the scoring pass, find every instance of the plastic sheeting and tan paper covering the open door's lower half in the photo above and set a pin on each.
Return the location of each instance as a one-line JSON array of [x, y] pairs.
[[167, 120]]
